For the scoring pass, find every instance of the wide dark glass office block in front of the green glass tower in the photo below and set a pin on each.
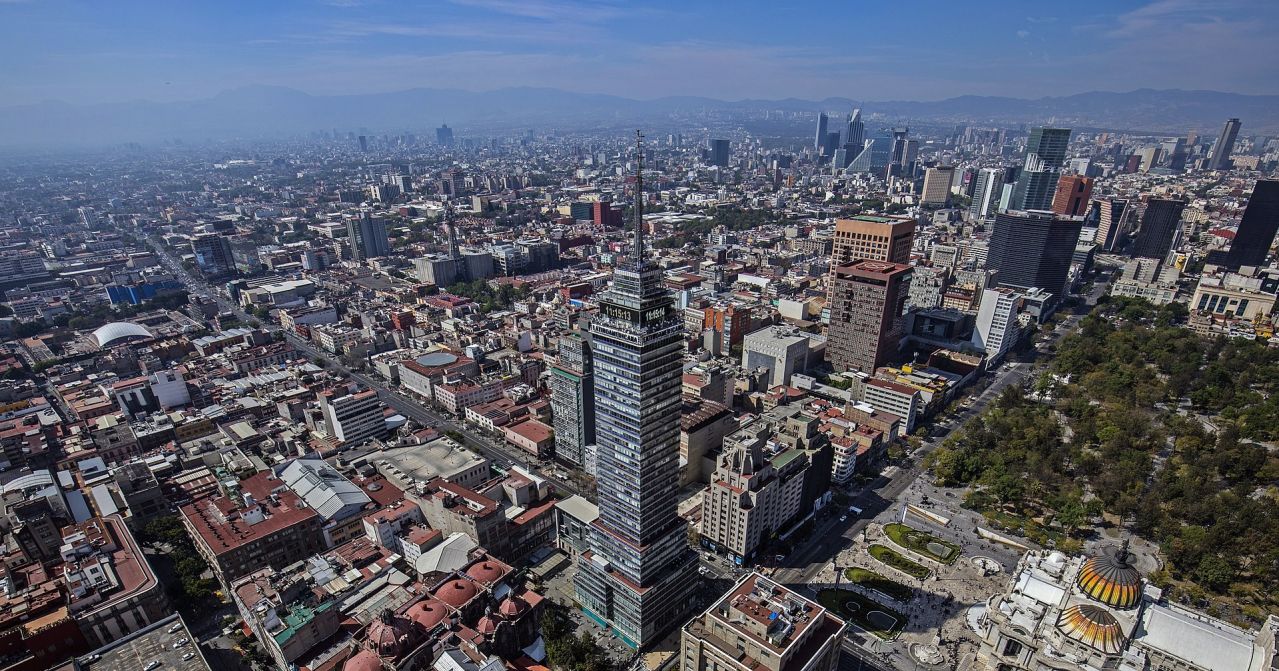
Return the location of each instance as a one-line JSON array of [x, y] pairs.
[[1034, 250]]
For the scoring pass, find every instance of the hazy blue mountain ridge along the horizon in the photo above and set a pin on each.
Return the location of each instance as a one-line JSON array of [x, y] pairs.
[[262, 112]]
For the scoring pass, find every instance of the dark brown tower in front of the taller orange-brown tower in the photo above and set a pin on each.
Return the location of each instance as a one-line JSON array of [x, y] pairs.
[[868, 301]]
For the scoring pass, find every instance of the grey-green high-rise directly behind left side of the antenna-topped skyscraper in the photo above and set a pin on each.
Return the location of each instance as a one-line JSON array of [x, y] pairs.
[[574, 399]]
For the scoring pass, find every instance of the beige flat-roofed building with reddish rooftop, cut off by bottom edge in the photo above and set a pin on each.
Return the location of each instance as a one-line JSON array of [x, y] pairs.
[[760, 626]]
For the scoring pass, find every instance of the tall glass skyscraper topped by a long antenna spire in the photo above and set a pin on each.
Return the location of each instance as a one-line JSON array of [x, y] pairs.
[[640, 572]]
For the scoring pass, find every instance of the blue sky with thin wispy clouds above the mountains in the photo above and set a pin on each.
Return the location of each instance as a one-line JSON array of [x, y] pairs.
[[89, 52]]
